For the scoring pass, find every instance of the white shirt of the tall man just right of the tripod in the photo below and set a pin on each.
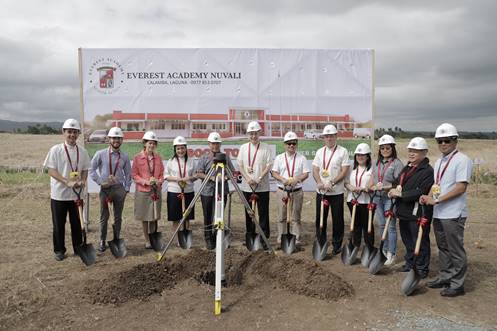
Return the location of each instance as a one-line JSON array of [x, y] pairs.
[[262, 160]]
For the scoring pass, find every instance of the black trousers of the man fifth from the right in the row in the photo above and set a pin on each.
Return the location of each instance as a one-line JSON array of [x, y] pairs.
[[336, 205]]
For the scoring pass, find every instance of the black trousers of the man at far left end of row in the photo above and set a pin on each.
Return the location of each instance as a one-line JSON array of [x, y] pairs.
[[60, 209]]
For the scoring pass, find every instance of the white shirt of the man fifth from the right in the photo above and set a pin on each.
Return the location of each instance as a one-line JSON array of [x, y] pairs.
[[340, 159]]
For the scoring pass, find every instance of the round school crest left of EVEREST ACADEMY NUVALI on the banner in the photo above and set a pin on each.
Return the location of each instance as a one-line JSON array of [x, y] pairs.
[[106, 75]]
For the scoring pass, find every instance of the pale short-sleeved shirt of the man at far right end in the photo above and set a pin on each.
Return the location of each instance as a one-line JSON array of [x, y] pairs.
[[459, 170]]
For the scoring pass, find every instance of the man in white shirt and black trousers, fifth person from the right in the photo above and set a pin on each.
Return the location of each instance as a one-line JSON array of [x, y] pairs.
[[329, 169]]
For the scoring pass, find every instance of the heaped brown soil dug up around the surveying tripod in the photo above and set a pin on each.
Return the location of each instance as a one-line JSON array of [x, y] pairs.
[[242, 269]]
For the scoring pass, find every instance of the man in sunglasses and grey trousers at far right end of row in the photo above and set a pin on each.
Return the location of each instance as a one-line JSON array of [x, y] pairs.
[[448, 196]]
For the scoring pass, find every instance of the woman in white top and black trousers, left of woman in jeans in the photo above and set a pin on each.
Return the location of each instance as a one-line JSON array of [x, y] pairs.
[[357, 184]]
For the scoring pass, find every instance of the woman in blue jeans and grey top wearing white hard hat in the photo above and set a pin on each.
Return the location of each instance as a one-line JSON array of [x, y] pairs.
[[385, 170]]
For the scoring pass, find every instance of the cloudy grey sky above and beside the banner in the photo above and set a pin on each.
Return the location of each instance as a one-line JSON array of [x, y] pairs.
[[435, 60]]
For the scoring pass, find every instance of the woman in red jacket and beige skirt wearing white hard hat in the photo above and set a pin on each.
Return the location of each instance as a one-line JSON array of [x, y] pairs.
[[148, 174]]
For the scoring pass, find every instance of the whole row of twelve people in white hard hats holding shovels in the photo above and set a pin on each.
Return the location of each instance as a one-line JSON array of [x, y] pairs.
[[414, 194]]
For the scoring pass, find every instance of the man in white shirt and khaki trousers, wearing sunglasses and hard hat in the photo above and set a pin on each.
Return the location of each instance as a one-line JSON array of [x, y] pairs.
[[290, 170]]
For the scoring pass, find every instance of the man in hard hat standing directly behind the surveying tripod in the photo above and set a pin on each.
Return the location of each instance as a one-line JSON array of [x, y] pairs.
[[207, 195]]
